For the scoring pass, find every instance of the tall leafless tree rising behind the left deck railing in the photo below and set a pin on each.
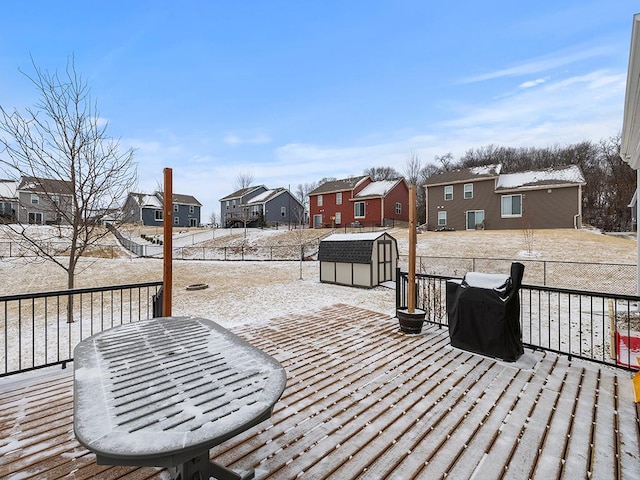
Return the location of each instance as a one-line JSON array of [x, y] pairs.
[[63, 141]]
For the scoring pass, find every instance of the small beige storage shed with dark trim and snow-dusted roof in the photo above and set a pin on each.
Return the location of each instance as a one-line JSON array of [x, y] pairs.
[[358, 259]]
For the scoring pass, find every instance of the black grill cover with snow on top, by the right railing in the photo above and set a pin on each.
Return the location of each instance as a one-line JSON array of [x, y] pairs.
[[487, 320]]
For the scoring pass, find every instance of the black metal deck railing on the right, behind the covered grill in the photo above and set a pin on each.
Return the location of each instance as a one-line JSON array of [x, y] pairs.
[[596, 326]]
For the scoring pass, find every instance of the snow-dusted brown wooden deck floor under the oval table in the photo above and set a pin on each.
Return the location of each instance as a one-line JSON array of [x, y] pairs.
[[365, 401]]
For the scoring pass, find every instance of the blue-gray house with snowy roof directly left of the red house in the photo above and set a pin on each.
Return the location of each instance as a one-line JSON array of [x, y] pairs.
[[274, 207]]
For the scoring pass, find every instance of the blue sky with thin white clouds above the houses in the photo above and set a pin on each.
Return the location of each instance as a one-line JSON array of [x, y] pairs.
[[293, 91]]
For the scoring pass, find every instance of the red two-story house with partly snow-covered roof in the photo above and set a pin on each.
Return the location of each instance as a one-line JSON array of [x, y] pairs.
[[359, 201]]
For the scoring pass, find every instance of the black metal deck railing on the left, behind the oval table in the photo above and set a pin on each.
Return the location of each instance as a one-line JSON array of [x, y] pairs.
[[42, 329]]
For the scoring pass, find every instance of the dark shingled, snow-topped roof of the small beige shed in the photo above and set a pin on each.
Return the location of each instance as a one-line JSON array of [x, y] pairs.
[[348, 248]]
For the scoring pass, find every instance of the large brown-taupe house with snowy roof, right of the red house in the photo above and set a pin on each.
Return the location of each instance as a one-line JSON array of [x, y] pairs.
[[483, 197]]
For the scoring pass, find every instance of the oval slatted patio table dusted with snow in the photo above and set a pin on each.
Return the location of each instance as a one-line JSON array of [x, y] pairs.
[[162, 392]]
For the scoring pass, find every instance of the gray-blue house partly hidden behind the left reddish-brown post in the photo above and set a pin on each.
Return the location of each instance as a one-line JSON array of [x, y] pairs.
[[144, 209]]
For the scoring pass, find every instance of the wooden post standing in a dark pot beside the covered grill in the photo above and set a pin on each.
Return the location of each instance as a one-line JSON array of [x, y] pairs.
[[411, 318]]
